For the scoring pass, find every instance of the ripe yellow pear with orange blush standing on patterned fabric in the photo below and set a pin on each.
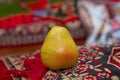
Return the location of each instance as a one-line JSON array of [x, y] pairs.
[[59, 50]]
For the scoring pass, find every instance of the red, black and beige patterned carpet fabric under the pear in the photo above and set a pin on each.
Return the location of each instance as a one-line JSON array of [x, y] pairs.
[[94, 63]]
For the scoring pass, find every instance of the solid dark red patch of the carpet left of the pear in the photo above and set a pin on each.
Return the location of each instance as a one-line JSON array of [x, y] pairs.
[[33, 69]]
